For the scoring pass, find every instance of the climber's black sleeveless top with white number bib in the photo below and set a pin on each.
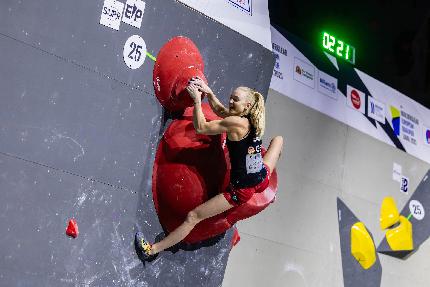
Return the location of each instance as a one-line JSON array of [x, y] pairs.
[[247, 167]]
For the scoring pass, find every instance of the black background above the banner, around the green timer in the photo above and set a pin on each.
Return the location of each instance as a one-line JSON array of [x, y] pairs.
[[392, 38]]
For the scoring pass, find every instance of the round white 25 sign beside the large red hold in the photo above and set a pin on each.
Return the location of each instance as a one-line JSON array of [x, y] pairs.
[[134, 52]]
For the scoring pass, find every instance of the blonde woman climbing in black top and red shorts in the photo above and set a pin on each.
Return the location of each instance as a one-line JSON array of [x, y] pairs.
[[244, 123]]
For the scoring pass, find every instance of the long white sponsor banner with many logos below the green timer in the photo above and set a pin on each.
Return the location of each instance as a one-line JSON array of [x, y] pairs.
[[309, 76]]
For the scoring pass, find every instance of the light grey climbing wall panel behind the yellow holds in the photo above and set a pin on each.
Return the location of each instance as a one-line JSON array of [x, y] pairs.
[[295, 242]]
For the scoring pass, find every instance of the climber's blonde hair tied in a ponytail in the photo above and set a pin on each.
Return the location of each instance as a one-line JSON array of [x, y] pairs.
[[257, 111]]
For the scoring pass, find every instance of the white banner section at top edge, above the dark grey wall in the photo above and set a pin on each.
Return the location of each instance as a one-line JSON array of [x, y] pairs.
[[248, 17]]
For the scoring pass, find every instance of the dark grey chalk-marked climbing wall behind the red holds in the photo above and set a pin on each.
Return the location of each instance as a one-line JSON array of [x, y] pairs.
[[78, 134]]
